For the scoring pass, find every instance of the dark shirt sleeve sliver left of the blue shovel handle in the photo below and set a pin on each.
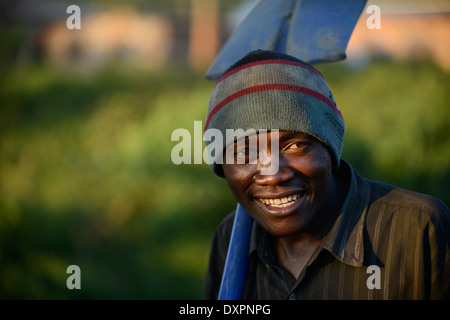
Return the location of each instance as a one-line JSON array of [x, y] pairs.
[[218, 254]]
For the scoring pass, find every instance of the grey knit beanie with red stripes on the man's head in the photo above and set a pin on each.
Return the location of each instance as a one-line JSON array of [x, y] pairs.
[[271, 90]]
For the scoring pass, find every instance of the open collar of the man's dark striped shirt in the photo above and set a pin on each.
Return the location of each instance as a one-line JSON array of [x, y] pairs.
[[345, 240]]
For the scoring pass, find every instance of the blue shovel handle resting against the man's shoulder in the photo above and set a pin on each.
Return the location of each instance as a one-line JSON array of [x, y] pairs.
[[235, 270]]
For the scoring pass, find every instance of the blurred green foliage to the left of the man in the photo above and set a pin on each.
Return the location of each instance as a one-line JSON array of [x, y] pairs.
[[87, 179]]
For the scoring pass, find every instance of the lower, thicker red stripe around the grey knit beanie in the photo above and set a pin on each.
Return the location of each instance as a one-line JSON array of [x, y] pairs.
[[267, 87]]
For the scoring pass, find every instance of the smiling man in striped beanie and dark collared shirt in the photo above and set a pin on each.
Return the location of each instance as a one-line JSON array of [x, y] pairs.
[[320, 230]]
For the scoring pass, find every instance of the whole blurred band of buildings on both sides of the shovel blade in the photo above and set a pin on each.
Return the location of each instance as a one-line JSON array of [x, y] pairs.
[[191, 32]]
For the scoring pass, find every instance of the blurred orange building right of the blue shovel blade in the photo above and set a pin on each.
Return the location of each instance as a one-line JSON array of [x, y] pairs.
[[409, 31]]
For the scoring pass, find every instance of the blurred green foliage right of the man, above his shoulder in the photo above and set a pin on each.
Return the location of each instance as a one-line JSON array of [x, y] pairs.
[[397, 123]]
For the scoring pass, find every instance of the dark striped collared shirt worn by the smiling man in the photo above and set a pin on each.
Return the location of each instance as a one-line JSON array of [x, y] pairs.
[[387, 243]]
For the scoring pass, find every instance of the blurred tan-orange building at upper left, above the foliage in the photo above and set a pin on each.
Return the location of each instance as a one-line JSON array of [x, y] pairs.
[[120, 33]]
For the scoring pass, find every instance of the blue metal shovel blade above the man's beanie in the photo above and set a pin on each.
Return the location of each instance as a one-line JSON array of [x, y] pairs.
[[312, 30]]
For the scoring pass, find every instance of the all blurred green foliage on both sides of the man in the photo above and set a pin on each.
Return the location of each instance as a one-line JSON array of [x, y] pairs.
[[86, 176]]
